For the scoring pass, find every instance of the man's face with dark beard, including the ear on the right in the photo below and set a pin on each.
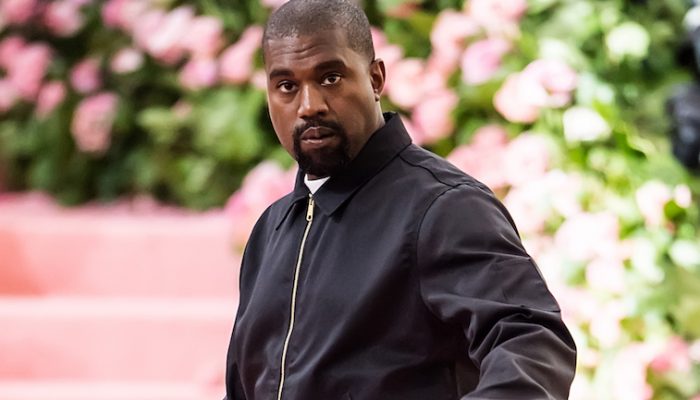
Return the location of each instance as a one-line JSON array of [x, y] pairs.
[[322, 97]]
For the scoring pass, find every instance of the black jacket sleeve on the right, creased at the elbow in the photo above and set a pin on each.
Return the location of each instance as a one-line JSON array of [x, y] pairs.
[[475, 274]]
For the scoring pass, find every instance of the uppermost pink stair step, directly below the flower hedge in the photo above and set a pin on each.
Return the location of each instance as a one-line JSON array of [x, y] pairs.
[[114, 250]]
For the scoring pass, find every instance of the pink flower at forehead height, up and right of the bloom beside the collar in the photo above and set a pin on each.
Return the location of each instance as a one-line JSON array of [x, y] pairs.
[[482, 59]]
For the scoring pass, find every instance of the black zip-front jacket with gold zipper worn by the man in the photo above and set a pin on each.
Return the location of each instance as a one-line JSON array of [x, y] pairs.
[[401, 278]]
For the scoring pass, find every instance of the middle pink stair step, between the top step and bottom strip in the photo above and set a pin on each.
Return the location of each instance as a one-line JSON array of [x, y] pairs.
[[59, 338]]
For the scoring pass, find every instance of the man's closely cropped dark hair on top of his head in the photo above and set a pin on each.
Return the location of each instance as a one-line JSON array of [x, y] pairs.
[[309, 17]]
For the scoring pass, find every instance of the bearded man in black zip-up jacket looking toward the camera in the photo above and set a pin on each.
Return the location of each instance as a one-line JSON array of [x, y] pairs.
[[387, 273]]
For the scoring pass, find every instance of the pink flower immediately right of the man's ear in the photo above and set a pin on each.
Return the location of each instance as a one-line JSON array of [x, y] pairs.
[[404, 81]]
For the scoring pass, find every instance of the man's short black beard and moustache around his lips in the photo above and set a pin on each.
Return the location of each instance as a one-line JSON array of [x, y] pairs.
[[324, 161]]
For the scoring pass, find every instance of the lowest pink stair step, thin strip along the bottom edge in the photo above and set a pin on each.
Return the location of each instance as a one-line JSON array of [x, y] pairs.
[[109, 390]]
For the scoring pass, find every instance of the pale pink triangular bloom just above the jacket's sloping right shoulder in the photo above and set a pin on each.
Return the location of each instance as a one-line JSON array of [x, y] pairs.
[[483, 158]]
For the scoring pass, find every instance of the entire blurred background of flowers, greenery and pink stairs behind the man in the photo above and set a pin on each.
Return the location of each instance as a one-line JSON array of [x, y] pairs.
[[136, 154]]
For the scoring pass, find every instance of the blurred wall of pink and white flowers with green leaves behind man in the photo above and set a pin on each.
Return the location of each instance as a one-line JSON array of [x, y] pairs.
[[558, 105]]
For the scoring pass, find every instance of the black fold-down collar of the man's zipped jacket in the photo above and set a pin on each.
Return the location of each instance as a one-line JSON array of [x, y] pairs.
[[381, 148]]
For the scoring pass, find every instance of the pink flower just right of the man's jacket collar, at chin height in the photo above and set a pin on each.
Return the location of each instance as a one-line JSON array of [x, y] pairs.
[[433, 115]]
